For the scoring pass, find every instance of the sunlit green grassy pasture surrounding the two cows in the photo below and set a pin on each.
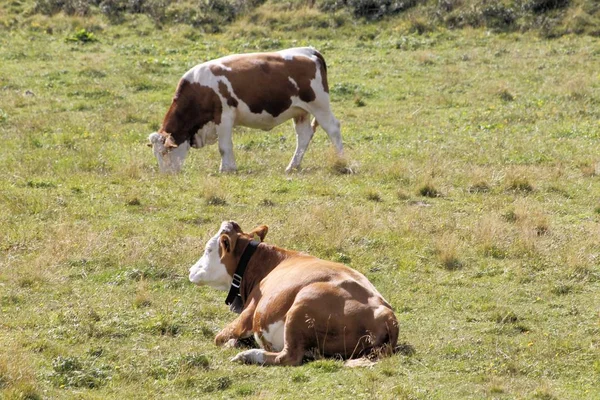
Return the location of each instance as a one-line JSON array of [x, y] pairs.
[[474, 207]]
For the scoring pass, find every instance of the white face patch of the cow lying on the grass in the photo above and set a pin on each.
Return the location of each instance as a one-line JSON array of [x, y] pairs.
[[209, 270]]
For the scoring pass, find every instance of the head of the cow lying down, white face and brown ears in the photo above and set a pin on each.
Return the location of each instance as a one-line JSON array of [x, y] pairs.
[[221, 255]]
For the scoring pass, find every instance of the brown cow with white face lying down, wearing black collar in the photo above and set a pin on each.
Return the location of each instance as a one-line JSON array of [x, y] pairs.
[[293, 303]]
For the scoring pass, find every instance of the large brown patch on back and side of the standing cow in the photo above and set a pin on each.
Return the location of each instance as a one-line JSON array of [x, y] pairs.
[[262, 81]]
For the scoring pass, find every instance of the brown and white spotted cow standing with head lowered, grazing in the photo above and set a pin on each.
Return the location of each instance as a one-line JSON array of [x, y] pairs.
[[257, 90]]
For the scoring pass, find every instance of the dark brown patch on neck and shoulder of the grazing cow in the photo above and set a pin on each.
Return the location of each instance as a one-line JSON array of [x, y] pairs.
[[193, 106]]
